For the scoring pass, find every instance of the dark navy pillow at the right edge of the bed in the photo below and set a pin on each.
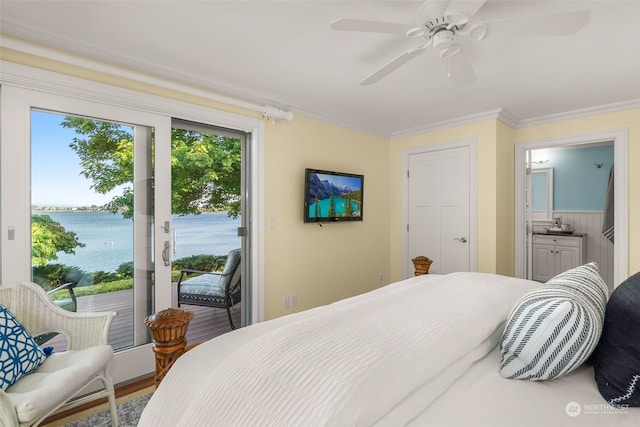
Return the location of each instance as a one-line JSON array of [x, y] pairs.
[[616, 360]]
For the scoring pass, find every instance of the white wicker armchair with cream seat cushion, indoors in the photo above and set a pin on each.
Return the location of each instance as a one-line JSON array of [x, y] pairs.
[[54, 385]]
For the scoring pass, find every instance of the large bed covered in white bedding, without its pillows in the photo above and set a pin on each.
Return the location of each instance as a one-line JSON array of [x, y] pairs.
[[425, 351]]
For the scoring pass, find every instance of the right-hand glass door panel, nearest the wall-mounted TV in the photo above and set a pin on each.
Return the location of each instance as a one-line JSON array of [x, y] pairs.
[[206, 206]]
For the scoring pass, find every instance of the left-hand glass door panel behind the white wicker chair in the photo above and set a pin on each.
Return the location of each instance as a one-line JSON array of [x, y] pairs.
[[92, 218]]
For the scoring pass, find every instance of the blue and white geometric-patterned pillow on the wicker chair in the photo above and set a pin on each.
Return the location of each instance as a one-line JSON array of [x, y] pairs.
[[19, 353]]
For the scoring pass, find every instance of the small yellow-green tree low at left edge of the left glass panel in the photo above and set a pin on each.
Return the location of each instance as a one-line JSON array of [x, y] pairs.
[[48, 238]]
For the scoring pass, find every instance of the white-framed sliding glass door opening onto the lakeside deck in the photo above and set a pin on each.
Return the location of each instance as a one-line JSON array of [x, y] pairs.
[[87, 199]]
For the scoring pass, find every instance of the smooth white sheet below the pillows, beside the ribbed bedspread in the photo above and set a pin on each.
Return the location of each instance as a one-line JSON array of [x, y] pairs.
[[482, 398]]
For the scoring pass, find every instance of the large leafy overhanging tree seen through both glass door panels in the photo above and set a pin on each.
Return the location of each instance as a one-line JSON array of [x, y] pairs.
[[205, 167]]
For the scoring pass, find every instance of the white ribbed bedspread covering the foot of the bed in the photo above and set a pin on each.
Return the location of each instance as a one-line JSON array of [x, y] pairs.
[[379, 358]]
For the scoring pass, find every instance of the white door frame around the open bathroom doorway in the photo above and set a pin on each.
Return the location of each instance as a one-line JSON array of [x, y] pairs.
[[620, 142]]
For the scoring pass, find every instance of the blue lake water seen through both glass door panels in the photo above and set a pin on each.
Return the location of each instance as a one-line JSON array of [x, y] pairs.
[[109, 238]]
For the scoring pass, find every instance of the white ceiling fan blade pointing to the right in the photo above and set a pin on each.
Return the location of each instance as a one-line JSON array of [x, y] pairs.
[[562, 24]]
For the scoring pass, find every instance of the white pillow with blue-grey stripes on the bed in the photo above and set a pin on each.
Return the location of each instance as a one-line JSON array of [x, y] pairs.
[[555, 328]]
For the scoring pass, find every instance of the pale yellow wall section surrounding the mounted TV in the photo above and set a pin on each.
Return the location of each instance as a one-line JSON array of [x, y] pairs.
[[337, 260]]
